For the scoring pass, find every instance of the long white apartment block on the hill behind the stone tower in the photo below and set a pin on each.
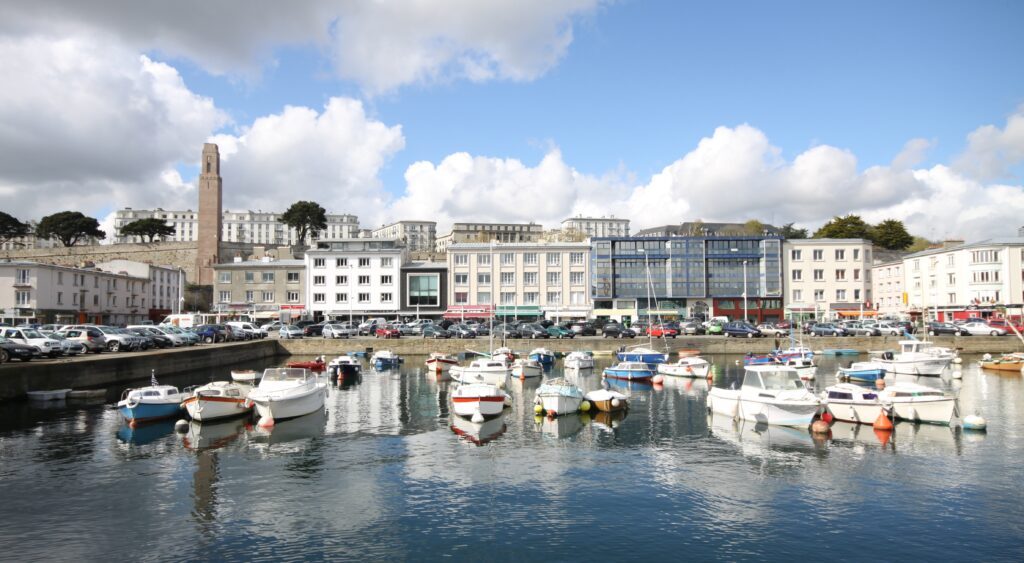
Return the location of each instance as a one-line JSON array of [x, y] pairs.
[[255, 228]]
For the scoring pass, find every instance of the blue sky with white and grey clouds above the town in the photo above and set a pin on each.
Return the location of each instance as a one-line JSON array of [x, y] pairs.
[[662, 112]]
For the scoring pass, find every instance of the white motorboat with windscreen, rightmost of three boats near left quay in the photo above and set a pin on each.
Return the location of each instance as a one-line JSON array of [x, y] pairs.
[[288, 393]]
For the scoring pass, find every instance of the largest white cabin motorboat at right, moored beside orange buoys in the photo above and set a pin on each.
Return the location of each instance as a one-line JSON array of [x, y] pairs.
[[771, 395]]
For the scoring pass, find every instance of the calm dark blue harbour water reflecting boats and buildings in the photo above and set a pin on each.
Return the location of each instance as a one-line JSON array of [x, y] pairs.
[[388, 473]]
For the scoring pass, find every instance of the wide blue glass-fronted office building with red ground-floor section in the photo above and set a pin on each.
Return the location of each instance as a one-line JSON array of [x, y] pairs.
[[679, 277]]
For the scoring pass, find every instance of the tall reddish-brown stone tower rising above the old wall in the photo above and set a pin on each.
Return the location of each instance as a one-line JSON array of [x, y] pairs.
[[210, 214]]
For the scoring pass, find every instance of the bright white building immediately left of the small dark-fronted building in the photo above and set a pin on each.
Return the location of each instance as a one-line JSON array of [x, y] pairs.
[[355, 277]]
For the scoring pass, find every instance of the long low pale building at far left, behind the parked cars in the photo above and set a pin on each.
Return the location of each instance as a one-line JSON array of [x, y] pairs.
[[31, 292]]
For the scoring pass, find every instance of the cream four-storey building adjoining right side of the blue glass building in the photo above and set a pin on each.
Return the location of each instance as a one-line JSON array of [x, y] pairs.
[[828, 278]]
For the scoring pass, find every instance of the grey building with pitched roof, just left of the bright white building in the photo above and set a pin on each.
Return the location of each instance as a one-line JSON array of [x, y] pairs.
[[266, 288]]
